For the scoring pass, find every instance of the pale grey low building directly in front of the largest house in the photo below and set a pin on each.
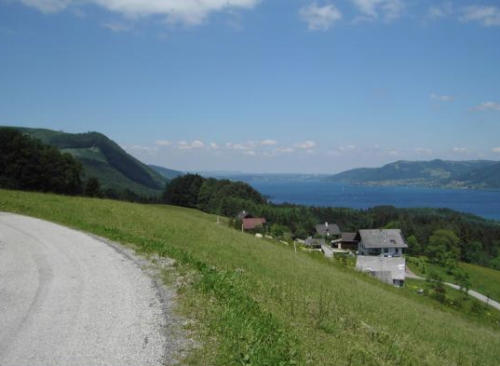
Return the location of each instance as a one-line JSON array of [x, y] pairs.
[[389, 270]]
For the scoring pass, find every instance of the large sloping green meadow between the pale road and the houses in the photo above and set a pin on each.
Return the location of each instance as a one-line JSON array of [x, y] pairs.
[[260, 297]]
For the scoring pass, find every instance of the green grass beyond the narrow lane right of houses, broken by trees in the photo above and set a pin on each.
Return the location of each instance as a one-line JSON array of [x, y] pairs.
[[484, 280]]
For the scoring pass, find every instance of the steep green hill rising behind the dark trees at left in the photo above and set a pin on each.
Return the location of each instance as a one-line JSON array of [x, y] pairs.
[[104, 159]]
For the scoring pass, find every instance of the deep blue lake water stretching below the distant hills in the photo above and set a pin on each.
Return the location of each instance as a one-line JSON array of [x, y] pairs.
[[318, 193]]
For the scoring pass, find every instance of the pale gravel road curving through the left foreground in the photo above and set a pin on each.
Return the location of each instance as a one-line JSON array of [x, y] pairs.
[[67, 298]]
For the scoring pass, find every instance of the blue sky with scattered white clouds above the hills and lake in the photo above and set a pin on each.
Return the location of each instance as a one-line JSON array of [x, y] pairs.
[[259, 86]]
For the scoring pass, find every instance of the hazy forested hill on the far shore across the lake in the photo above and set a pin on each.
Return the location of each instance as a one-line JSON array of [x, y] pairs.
[[476, 174]]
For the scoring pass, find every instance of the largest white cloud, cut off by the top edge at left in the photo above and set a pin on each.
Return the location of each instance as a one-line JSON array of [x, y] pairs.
[[189, 12]]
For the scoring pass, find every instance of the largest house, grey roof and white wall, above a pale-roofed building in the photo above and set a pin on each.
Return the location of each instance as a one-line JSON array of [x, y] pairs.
[[381, 242]]
